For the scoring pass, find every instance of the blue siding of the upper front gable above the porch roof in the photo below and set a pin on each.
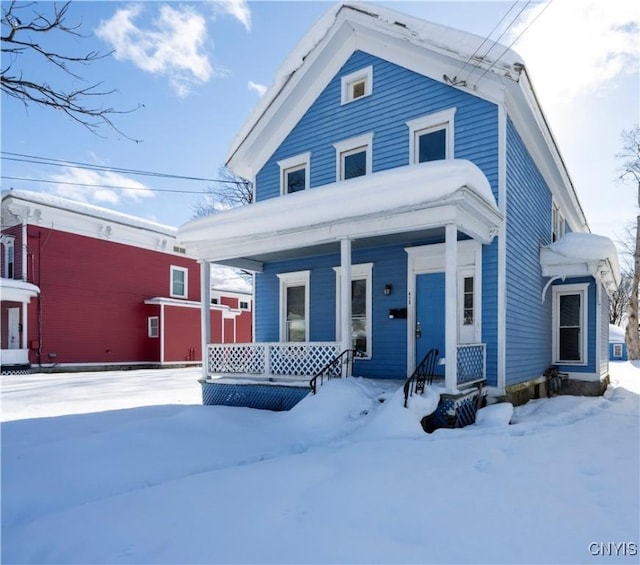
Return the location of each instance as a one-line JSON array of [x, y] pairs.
[[398, 95]]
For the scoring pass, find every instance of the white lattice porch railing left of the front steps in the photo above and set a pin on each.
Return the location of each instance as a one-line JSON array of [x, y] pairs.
[[292, 358]]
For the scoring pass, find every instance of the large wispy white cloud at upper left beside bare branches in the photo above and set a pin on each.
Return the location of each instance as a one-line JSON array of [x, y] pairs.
[[172, 47]]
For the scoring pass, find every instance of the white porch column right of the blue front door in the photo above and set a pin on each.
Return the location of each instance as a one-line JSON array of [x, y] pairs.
[[451, 307]]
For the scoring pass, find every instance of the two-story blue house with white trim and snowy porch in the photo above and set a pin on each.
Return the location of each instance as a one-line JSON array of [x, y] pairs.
[[409, 196]]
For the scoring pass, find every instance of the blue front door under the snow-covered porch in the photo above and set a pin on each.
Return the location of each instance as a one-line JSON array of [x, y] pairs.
[[430, 316]]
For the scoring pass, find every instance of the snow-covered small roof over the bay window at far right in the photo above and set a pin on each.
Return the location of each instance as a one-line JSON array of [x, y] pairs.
[[581, 255]]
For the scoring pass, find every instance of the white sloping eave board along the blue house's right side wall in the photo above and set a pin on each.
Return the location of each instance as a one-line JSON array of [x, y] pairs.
[[533, 128]]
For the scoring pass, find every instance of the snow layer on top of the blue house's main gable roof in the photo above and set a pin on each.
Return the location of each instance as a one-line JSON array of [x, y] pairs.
[[454, 43]]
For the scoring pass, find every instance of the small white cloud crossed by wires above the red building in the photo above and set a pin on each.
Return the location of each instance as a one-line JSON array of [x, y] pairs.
[[98, 189]]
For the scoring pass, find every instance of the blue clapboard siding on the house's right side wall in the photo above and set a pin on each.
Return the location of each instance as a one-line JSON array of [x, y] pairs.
[[528, 322]]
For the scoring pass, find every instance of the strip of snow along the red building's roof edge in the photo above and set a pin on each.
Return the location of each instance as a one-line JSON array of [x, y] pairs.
[[85, 209]]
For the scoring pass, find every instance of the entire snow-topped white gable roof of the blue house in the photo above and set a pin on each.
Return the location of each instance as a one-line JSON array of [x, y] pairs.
[[432, 50]]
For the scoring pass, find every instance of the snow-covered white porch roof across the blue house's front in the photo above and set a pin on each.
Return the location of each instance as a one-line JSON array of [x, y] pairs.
[[407, 200]]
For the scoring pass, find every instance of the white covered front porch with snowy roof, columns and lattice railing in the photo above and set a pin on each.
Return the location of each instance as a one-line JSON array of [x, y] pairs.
[[448, 202]]
